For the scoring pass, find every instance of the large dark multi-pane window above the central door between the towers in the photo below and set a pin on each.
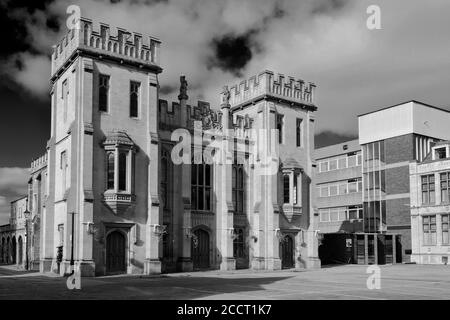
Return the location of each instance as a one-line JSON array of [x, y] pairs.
[[201, 187]]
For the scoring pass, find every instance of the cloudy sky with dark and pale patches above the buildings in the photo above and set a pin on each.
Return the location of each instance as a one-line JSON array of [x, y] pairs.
[[218, 42]]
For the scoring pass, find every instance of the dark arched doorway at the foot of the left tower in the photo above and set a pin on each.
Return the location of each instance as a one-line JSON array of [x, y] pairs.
[[115, 252]]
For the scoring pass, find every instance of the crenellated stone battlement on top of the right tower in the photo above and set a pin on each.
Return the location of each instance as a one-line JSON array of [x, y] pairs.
[[267, 84]]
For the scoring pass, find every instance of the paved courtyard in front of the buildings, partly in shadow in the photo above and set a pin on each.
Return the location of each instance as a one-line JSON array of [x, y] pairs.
[[340, 282]]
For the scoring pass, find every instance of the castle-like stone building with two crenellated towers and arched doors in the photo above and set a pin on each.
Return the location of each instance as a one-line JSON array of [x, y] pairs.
[[116, 201]]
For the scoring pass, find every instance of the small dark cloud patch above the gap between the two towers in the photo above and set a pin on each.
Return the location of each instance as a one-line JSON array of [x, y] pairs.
[[232, 53]]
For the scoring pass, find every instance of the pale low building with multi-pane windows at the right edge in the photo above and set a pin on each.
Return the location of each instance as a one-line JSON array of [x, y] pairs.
[[430, 206]]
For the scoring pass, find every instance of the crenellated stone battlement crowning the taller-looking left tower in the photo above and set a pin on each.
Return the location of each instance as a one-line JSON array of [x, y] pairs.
[[124, 46]]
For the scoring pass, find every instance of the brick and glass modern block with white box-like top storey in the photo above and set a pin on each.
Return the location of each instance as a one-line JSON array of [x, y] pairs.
[[390, 138]]
